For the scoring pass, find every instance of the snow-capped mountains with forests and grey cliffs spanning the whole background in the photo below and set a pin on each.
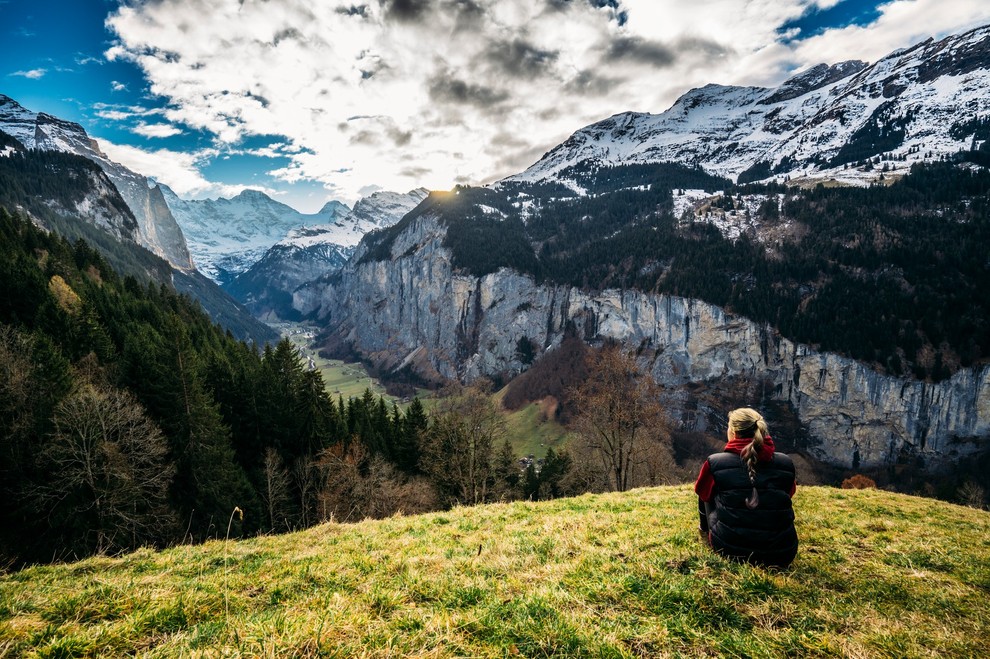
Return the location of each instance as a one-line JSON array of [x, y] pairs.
[[818, 249]]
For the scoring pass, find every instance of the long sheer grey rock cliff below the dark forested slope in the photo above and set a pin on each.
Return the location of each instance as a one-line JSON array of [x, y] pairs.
[[414, 310]]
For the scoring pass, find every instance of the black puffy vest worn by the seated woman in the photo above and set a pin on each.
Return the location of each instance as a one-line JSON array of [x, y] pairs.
[[764, 535]]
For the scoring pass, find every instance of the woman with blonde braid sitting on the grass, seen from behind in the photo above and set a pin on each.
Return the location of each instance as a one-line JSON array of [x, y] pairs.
[[744, 495]]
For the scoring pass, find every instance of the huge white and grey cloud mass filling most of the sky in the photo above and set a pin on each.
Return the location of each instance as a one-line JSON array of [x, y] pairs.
[[434, 92]]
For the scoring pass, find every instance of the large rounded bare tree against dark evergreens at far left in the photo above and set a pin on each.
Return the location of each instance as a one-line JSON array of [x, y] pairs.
[[109, 470]]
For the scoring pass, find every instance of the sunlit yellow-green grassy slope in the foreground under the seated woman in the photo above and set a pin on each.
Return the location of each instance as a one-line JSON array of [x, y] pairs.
[[614, 575]]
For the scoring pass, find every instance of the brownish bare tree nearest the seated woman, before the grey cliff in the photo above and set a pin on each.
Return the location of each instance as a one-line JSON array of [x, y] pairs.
[[620, 422]]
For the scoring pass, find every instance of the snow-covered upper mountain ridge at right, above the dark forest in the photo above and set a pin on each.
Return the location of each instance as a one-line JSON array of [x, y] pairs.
[[917, 103]]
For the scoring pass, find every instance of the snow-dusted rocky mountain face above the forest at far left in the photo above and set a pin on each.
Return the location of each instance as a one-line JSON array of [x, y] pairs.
[[157, 229]]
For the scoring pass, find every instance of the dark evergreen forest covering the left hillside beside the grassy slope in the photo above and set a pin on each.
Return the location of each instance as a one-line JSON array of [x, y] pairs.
[[129, 418]]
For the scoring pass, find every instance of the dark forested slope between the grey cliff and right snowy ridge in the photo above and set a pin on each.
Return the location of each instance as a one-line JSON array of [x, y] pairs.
[[892, 275]]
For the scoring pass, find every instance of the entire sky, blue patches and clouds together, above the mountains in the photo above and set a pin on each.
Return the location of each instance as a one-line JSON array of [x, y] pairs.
[[310, 100]]
